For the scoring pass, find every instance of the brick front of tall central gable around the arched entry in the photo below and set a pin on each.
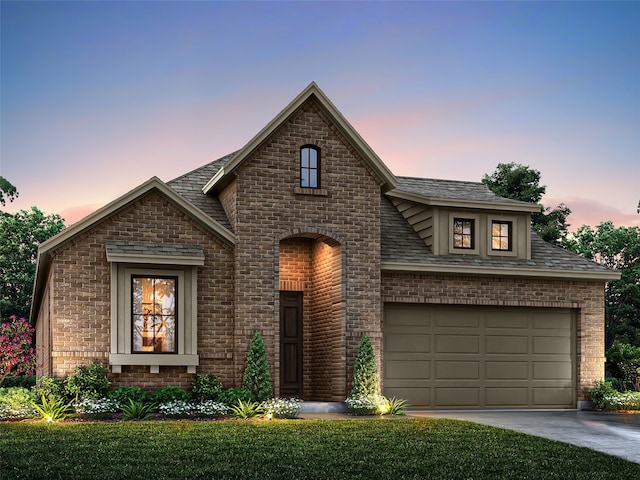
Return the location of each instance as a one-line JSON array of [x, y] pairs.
[[271, 209]]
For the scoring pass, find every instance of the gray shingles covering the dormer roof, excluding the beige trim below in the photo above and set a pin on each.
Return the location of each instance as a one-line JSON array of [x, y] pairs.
[[451, 190]]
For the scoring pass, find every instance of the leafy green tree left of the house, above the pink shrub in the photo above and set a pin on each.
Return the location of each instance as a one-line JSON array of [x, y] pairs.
[[20, 235]]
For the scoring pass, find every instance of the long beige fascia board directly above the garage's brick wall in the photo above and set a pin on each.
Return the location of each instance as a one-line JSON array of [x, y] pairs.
[[397, 267]]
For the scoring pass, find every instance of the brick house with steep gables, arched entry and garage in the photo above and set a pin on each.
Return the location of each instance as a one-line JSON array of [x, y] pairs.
[[306, 236]]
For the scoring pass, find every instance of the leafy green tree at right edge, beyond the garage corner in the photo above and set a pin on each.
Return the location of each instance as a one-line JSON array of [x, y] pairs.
[[617, 248]]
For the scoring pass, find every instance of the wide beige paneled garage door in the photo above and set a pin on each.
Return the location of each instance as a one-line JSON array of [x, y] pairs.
[[450, 357]]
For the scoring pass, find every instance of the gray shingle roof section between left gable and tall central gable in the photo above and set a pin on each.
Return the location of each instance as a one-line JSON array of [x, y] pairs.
[[190, 186]]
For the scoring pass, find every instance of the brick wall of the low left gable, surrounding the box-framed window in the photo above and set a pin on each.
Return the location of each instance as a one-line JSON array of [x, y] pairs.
[[80, 313]]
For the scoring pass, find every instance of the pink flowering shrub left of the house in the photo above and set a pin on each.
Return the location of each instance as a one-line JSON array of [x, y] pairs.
[[17, 355]]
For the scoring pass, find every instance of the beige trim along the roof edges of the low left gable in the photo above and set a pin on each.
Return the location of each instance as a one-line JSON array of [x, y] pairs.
[[68, 234]]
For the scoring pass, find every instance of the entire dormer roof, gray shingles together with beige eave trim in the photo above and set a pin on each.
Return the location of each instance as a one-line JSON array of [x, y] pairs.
[[453, 193]]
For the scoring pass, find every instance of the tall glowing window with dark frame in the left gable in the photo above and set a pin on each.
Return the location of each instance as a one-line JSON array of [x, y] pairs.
[[153, 314]]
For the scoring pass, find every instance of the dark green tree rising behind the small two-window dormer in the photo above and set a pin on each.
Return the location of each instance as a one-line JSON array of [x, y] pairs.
[[519, 182]]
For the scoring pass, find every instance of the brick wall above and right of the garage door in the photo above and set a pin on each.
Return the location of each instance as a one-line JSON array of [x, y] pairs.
[[586, 297]]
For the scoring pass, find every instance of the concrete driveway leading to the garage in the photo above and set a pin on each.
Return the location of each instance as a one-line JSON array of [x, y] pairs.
[[613, 433]]
